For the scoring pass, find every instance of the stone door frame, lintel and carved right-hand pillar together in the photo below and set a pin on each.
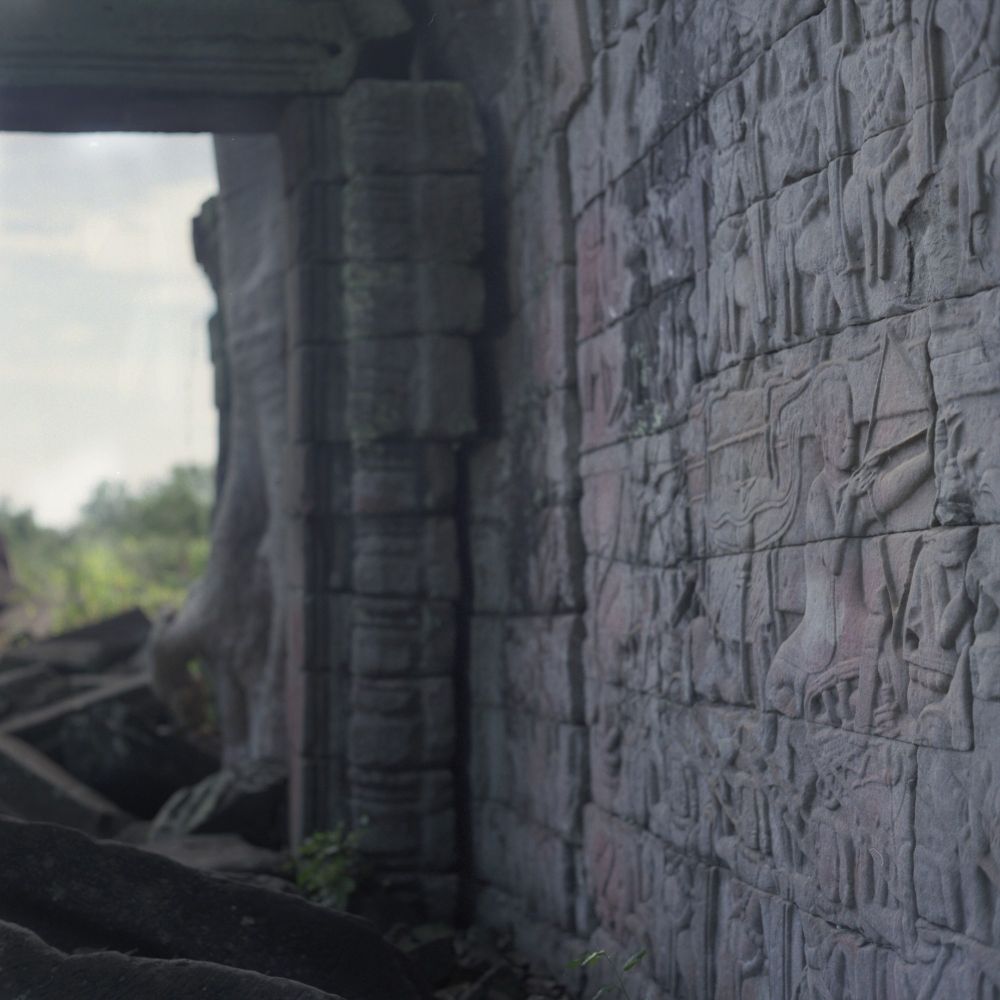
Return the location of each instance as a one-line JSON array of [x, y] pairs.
[[380, 214]]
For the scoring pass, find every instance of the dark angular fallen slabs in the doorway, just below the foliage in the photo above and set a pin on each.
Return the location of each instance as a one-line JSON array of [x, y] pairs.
[[84, 741]]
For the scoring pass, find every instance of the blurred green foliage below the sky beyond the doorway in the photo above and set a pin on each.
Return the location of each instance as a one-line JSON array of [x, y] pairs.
[[143, 548]]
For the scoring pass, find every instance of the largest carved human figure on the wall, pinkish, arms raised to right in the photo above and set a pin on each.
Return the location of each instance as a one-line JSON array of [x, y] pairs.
[[821, 659]]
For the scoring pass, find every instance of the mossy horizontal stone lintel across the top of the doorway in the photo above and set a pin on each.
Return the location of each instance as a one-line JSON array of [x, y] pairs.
[[149, 53]]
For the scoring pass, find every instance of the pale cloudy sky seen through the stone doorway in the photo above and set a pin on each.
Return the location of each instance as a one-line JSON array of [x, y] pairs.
[[104, 369]]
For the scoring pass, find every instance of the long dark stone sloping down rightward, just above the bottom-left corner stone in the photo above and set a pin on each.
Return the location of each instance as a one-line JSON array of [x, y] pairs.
[[76, 893]]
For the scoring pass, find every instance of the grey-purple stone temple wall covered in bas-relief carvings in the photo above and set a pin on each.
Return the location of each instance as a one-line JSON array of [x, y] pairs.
[[735, 540]]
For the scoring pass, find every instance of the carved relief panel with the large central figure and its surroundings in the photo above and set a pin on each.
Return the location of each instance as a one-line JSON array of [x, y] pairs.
[[826, 593]]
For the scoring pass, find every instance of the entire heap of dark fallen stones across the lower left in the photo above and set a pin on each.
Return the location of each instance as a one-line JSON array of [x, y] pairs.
[[192, 896]]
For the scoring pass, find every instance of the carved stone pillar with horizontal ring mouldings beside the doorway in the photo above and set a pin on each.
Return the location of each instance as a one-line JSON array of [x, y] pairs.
[[386, 224]]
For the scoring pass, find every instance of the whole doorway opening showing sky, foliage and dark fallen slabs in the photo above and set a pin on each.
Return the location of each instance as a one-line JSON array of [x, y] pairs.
[[108, 470]]
